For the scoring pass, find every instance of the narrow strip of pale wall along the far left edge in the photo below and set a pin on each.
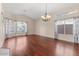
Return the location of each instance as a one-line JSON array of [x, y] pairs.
[[2, 35]]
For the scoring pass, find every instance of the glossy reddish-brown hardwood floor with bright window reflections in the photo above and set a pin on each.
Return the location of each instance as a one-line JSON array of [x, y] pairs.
[[33, 45]]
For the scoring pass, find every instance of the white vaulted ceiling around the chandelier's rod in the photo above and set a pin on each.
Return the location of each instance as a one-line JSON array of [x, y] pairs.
[[36, 10]]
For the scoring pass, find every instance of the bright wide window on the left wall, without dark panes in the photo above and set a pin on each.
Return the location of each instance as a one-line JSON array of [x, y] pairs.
[[14, 27]]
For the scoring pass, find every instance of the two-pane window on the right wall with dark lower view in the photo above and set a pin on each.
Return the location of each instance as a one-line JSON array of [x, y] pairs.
[[64, 26]]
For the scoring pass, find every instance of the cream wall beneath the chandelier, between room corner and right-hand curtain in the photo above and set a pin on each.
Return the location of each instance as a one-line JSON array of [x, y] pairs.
[[44, 28]]
